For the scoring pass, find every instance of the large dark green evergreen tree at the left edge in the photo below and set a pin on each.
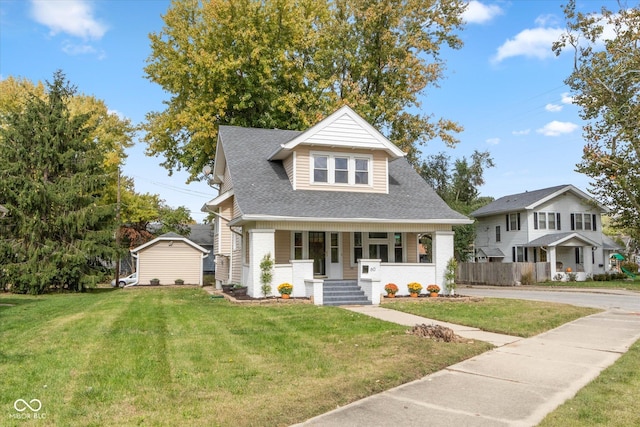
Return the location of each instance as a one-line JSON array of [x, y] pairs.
[[52, 177]]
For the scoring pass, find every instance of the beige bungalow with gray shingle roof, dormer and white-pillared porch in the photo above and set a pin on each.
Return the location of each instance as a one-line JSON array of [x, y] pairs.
[[337, 206]]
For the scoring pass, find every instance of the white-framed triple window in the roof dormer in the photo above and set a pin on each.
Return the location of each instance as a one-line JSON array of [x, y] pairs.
[[341, 169]]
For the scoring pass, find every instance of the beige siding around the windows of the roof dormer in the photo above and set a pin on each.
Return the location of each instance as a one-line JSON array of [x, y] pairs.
[[303, 170]]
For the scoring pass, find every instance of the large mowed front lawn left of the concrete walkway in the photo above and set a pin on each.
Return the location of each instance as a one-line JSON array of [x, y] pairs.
[[178, 357]]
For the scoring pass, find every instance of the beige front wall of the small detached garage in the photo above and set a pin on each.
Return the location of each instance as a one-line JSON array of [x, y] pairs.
[[168, 263]]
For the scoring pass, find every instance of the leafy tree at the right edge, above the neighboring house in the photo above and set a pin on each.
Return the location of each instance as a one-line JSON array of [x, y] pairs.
[[605, 83]]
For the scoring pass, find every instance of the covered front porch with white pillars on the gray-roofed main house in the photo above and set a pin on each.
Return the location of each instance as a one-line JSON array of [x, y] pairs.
[[311, 259]]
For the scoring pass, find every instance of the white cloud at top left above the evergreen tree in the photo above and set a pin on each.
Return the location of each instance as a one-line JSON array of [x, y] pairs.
[[72, 17]]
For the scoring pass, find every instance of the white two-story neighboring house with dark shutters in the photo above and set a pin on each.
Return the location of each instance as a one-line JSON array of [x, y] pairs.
[[559, 225]]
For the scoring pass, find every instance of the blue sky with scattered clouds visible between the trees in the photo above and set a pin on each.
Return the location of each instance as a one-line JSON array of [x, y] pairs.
[[505, 86]]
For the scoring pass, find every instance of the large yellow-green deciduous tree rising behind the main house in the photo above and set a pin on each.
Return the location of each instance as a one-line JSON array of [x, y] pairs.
[[288, 63]]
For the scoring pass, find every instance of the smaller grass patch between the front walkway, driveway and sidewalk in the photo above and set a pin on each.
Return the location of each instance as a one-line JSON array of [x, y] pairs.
[[505, 316]]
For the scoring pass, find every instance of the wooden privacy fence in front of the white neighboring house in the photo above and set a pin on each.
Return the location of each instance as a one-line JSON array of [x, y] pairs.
[[502, 273]]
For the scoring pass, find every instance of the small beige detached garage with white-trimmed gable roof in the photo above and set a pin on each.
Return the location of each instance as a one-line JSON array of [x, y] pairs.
[[168, 258]]
